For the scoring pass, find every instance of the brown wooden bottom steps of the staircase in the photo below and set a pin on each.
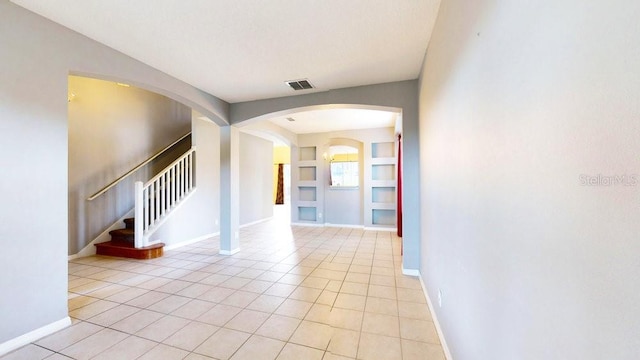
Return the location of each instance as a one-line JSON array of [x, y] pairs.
[[122, 244]]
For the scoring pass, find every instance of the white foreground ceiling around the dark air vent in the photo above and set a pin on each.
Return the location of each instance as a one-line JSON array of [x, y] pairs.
[[242, 50]]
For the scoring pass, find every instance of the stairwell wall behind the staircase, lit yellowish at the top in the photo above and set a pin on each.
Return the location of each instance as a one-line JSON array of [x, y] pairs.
[[112, 129]]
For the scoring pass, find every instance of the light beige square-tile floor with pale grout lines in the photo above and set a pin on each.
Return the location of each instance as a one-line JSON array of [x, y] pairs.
[[290, 293]]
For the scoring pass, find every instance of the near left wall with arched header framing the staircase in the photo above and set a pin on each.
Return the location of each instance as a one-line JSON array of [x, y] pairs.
[[37, 56]]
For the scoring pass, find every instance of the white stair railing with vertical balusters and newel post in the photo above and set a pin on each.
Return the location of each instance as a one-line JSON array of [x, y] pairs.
[[160, 195]]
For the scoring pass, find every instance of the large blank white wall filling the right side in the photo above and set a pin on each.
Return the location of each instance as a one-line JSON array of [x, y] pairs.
[[518, 99]]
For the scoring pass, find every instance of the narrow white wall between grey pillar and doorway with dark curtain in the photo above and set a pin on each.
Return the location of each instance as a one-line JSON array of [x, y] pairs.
[[256, 179]]
